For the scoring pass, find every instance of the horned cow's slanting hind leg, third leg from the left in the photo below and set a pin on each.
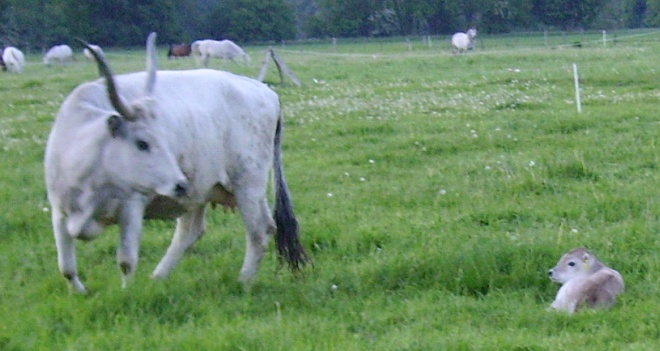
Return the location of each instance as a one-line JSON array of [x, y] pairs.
[[189, 228]]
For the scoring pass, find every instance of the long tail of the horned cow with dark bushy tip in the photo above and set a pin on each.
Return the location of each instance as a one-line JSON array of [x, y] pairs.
[[289, 248]]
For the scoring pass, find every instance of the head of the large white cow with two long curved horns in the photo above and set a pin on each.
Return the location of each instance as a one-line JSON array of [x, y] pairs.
[[137, 156]]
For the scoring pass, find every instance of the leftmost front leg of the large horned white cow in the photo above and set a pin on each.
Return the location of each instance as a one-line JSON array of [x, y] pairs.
[[66, 252]]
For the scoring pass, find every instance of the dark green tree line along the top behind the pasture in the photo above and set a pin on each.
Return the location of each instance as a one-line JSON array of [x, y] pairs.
[[38, 24]]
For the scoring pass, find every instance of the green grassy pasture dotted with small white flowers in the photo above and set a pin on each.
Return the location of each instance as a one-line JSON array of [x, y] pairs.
[[433, 192]]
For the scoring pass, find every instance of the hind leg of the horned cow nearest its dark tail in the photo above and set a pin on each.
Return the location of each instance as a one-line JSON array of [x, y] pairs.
[[258, 223]]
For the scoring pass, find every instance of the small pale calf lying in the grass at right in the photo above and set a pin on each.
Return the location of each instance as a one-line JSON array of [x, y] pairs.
[[586, 282]]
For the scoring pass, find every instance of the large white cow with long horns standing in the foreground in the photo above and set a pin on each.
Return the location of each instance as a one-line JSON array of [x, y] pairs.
[[164, 144]]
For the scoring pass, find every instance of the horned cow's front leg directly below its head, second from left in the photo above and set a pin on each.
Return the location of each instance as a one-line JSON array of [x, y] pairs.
[[130, 219]]
